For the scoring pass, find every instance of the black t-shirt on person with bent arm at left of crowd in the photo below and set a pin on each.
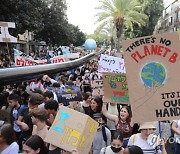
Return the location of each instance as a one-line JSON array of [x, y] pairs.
[[27, 120]]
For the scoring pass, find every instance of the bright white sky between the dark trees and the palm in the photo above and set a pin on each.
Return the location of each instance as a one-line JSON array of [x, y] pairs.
[[81, 13]]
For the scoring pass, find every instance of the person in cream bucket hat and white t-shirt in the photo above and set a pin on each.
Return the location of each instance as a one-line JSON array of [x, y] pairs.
[[148, 142]]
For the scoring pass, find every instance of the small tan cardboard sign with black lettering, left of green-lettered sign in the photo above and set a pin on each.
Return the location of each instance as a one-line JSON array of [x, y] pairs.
[[97, 88]]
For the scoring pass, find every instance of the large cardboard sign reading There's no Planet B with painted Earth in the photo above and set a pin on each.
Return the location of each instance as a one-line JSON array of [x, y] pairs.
[[153, 76]]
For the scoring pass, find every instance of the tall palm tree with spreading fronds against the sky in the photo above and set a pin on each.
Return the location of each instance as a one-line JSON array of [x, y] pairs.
[[121, 13]]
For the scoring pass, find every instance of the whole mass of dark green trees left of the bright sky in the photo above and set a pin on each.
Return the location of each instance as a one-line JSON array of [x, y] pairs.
[[45, 18]]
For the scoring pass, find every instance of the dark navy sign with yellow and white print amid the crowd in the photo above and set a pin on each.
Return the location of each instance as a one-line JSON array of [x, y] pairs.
[[71, 93]]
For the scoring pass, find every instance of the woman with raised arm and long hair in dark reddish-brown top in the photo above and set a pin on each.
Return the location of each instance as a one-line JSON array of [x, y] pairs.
[[122, 121]]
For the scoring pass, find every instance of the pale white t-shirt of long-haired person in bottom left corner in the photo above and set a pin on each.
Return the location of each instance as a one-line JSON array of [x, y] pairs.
[[13, 148]]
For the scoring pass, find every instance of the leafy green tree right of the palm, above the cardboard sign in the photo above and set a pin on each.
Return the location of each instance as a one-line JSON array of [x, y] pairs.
[[153, 9]]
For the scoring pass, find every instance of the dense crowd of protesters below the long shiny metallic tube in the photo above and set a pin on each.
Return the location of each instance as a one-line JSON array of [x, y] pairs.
[[28, 110]]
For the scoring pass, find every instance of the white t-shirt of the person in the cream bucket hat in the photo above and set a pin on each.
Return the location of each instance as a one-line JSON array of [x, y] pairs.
[[143, 144]]
